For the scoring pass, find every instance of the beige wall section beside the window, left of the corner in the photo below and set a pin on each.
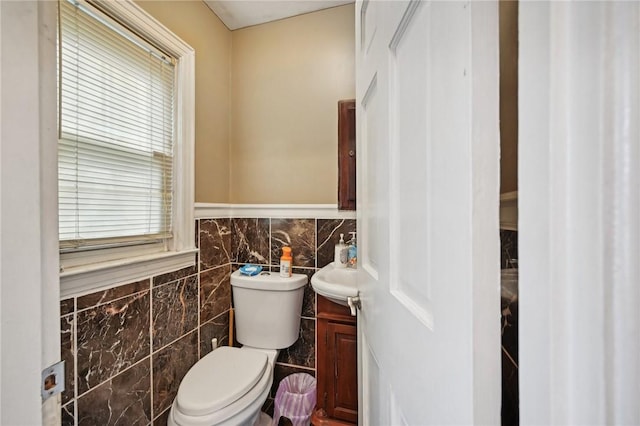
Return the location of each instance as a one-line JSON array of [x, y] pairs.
[[194, 22]]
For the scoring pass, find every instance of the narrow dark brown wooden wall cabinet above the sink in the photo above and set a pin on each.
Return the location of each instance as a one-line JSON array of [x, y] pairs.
[[347, 155]]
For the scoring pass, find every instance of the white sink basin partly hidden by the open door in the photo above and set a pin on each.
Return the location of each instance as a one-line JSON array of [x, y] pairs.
[[336, 284]]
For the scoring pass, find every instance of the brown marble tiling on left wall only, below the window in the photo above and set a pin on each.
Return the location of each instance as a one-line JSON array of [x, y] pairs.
[[127, 348]]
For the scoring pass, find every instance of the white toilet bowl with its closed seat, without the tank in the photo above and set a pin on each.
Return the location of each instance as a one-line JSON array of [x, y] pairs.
[[242, 404]]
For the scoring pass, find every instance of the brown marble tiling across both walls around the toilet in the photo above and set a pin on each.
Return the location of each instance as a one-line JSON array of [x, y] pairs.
[[127, 348]]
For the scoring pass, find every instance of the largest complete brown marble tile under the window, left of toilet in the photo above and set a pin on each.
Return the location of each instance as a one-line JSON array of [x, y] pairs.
[[111, 338]]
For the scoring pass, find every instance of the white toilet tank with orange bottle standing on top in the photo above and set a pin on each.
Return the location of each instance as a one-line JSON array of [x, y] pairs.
[[267, 308]]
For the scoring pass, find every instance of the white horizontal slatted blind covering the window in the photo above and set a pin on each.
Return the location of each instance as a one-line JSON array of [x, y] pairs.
[[116, 134]]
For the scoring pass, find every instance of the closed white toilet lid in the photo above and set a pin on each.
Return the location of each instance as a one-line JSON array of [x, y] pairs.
[[219, 379]]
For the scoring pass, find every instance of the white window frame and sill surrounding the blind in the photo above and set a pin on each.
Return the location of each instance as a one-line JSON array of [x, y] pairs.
[[92, 270]]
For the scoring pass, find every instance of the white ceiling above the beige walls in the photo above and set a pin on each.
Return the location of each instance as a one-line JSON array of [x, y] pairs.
[[243, 13]]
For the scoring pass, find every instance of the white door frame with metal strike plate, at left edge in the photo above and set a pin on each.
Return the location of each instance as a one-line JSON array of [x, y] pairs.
[[29, 295]]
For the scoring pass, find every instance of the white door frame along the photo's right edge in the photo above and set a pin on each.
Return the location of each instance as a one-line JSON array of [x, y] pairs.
[[579, 212]]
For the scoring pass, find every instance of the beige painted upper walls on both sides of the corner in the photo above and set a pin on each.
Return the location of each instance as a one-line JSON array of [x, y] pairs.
[[266, 102]]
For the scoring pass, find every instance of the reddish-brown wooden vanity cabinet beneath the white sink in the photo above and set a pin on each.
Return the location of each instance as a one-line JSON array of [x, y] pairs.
[[337, 365]]
